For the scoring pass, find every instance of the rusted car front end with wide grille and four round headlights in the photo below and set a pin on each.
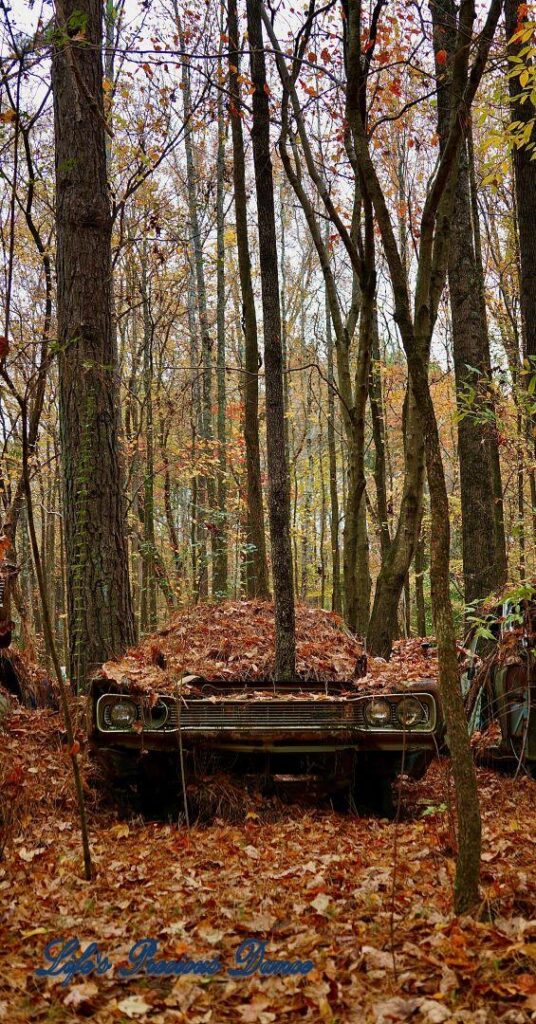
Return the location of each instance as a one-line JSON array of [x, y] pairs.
[[351, 742]]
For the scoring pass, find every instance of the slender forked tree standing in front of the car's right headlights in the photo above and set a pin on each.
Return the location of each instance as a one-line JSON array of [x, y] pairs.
[[417, 321]]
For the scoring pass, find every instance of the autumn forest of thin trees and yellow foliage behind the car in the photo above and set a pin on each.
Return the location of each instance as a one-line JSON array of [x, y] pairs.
[[188, 375]]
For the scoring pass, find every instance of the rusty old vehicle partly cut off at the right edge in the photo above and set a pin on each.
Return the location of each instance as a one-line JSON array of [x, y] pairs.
[[500, 682]]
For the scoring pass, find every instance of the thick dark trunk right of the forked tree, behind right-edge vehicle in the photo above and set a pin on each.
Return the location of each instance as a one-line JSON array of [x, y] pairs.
[[484, 564]]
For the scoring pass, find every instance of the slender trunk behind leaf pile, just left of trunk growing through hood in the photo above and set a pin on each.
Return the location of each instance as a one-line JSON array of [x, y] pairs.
[[258, 576]]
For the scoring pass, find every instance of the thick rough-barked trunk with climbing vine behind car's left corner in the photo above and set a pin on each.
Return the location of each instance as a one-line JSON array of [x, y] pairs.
[[100, 607]]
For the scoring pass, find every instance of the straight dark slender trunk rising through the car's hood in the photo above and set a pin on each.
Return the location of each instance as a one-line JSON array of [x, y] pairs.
[[279, 493]]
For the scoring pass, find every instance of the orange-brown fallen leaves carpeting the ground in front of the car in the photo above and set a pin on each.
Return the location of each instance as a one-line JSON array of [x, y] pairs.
[[314, 885]]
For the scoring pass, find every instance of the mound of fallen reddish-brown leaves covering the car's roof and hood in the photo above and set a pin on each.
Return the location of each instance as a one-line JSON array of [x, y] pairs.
[[235, 642]]
